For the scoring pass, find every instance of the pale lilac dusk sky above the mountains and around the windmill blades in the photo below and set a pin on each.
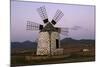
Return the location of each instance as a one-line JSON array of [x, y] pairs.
[[81, 16]]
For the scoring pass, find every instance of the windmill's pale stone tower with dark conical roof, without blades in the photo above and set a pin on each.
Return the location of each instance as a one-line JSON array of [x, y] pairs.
[[49, 41]]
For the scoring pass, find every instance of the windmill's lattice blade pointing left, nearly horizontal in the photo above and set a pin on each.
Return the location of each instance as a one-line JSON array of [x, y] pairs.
[[33, 26]]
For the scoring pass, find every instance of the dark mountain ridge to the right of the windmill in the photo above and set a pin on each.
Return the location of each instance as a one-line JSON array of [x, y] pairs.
[[73, 42]]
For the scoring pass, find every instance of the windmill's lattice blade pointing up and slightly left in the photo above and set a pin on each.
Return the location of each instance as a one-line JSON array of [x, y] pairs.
[[43, 14]]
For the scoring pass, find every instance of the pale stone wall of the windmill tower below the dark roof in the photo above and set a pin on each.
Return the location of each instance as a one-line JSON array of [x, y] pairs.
[[44, 47]]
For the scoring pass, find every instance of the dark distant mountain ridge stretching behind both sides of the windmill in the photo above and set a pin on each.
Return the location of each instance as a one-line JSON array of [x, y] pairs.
[[64, 42]]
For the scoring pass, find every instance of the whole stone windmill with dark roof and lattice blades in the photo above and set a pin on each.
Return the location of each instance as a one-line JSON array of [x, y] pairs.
[[49, 35]]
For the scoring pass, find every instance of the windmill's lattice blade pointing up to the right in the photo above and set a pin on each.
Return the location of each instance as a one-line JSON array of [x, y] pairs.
[[57, 17]]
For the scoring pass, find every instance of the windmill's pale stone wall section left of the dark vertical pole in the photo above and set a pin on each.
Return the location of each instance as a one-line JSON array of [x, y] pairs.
[[43, 44]]
